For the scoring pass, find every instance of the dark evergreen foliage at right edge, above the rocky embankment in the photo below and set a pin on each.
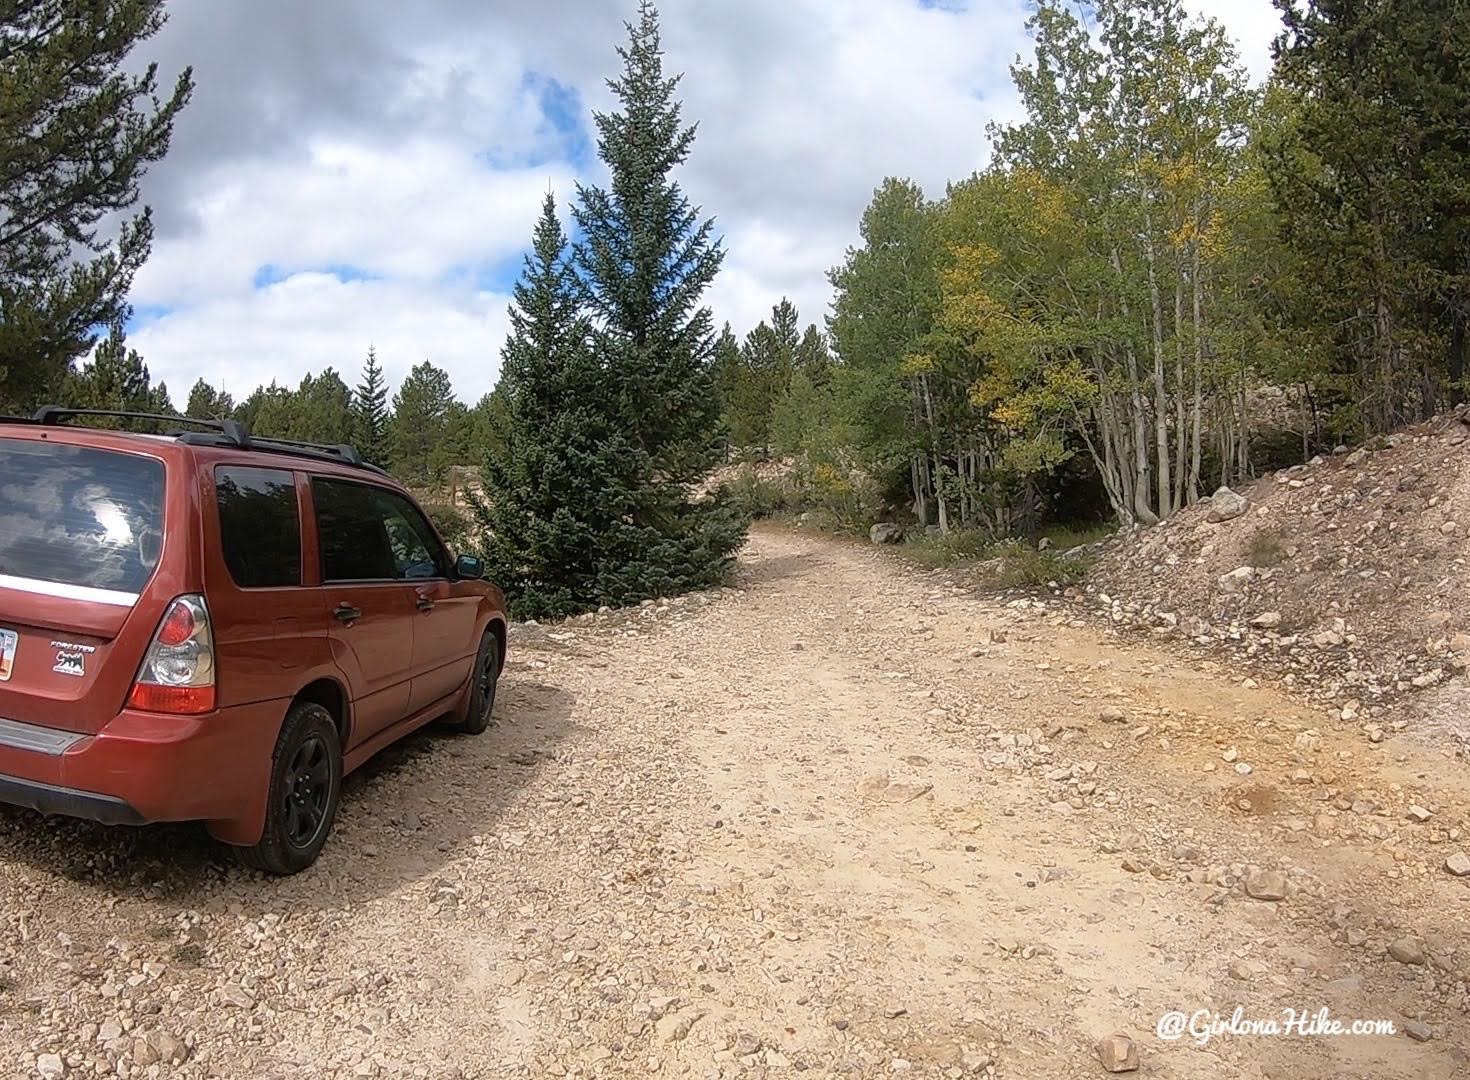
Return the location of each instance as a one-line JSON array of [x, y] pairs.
[[1371, 176]]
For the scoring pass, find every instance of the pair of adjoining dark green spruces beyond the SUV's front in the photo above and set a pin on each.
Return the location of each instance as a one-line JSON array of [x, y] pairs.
[[612, 408]]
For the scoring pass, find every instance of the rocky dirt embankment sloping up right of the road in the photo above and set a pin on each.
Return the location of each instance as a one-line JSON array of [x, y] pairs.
[[1347, 578]]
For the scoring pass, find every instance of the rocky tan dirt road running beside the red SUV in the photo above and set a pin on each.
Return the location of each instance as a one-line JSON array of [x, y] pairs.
[[846, 821]]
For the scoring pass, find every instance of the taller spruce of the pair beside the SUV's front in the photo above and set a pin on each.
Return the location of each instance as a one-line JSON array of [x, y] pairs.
[[645, 264]]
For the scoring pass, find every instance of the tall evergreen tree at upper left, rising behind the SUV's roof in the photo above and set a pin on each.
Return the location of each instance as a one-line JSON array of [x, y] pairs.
[[77, 133]]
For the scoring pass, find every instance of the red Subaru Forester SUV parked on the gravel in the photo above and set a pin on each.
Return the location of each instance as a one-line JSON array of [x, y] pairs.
[[211, 627]]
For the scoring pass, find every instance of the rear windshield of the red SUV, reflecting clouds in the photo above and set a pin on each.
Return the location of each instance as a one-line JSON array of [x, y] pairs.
[[79, 516]]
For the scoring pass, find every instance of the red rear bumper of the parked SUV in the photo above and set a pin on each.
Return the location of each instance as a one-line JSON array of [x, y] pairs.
[[152, 768]]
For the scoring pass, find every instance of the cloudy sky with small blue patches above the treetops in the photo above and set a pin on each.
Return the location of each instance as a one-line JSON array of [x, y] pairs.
[[359, 173]]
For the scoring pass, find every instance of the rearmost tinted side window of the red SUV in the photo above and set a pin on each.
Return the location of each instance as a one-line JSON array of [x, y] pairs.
[[259, 527]]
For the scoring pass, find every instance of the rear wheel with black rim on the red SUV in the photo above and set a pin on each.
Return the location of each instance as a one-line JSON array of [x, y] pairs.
[[306, 785]]
